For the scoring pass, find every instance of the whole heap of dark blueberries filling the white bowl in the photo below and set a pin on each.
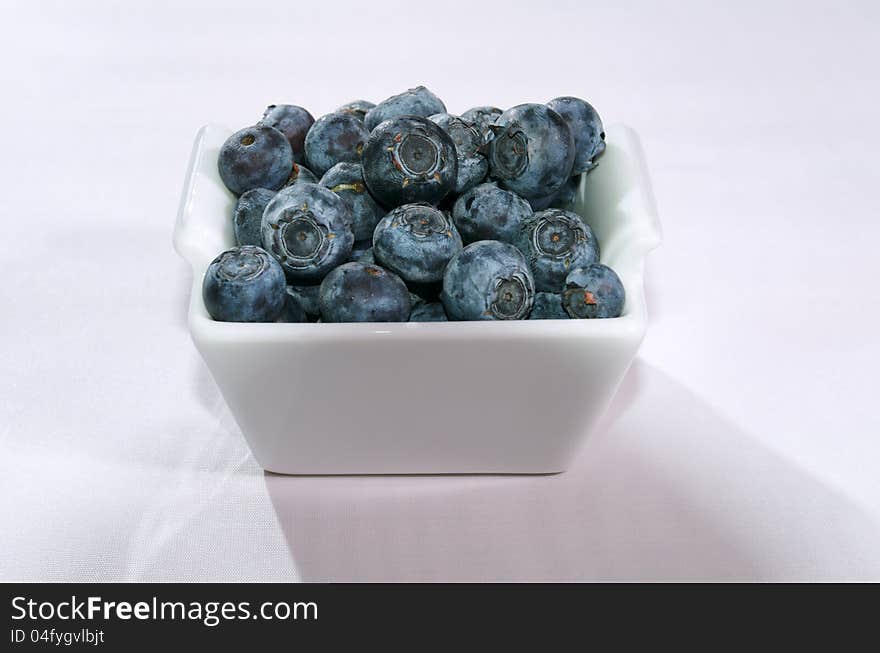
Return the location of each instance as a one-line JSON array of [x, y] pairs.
[[401, 211]]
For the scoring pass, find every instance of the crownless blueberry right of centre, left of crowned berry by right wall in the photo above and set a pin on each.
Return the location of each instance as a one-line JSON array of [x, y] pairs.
[[488, 212]]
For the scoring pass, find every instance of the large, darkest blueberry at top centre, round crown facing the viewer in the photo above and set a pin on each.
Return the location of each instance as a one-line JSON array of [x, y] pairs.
[[409, 159]]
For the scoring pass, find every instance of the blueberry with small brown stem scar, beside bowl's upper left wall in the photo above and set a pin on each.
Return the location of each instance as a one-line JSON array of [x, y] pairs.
[[255, 157]]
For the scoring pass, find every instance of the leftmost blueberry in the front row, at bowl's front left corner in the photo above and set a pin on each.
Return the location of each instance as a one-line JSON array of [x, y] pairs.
[[244, 284]]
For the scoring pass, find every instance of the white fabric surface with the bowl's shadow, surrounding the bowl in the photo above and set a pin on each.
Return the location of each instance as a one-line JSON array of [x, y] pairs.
[[743, 444]]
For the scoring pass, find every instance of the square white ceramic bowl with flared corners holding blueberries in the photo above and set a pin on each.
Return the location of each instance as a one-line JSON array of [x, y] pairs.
[[424, 398]]
